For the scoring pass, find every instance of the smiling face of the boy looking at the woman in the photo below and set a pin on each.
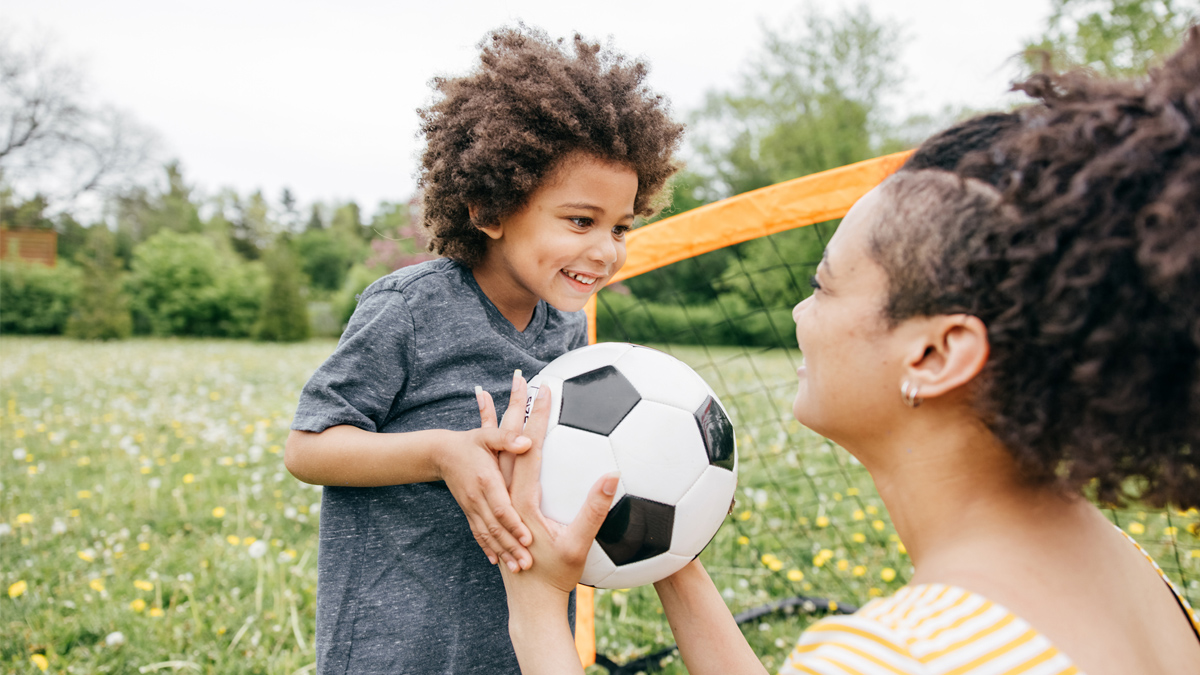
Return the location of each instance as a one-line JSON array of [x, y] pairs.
[[566, 243]]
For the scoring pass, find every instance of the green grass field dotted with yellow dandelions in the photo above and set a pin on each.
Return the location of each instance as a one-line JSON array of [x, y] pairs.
[[147, 522]]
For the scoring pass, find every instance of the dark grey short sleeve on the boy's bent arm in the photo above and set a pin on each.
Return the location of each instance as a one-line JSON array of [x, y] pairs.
[[361, 384]]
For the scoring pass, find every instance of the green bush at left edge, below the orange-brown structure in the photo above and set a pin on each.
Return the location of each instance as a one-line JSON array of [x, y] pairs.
[[37, 300]]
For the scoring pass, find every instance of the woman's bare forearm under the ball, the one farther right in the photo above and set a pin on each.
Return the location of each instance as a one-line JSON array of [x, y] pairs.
[[709, 637]]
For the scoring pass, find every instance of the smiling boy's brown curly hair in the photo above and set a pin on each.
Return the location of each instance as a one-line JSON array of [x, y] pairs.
[[495, 135]]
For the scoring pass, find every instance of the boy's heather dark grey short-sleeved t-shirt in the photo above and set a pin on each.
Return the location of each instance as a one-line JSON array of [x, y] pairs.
[[401, 584]]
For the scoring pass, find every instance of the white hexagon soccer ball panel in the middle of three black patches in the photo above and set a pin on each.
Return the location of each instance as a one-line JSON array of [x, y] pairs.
[[659, 451]]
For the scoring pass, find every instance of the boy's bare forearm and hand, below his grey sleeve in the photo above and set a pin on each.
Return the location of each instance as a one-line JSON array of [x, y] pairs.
[[466, 461]]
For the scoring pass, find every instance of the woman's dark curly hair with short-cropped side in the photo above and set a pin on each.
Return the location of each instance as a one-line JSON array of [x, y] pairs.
[[1088, 277]]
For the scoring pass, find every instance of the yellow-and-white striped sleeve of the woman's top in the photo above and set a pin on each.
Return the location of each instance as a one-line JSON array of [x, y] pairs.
[[851, 646]]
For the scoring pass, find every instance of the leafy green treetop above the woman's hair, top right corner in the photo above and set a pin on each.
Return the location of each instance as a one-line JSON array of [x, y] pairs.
[[1115, 38]]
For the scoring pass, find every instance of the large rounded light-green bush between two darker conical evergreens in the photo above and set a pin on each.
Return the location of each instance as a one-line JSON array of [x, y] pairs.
[[184, 285]]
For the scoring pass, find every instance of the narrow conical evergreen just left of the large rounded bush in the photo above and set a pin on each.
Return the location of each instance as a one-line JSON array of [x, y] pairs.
[[101, 310]]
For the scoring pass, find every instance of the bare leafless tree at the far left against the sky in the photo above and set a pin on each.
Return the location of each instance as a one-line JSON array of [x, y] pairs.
[[57, 144]]
